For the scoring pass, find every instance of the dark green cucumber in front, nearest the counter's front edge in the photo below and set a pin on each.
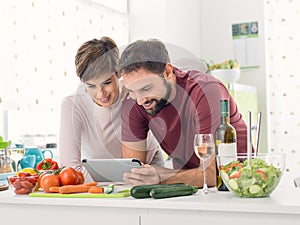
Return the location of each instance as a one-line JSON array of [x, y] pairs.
[[172, 191]]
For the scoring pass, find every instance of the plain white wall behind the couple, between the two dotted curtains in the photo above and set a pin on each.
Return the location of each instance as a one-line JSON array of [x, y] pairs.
[[203, 27]]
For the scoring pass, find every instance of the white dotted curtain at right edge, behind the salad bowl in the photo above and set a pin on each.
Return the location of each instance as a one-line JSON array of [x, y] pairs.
[[283, 53]]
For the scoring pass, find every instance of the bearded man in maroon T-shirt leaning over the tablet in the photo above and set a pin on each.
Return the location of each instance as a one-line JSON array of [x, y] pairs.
[[174, 105]]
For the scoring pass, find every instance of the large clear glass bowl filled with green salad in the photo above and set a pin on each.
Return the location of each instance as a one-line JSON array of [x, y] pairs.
[[257, 180]]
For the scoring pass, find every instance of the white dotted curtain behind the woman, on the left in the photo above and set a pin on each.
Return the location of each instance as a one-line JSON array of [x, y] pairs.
[[38, 44]]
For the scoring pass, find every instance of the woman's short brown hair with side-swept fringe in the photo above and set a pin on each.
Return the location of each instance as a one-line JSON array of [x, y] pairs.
[[96, 57]]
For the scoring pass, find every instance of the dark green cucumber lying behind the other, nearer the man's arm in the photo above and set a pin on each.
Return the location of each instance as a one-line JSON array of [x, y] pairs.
[[143, 191]]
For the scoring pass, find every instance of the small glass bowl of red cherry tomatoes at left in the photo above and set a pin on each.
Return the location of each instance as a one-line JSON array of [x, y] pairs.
[[23, 184]]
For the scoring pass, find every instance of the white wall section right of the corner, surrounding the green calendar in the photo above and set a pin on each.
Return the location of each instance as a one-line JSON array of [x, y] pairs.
[[216, 43]]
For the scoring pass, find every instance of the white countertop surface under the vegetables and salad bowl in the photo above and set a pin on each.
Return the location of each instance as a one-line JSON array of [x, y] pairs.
[[284, 200]]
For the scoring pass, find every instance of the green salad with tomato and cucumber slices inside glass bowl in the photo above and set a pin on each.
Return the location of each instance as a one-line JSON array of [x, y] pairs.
[[258, 180]]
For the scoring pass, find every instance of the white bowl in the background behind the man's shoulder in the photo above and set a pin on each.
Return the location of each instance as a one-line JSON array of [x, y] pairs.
[[227, 76]]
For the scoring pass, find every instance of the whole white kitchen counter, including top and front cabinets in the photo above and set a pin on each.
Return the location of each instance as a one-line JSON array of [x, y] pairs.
[[221, 207]]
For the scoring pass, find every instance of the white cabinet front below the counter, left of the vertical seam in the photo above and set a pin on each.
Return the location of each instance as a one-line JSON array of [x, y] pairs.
[[75, 213]]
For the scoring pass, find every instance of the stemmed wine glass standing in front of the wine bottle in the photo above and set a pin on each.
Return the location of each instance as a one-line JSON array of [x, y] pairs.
[[204, 147]]
